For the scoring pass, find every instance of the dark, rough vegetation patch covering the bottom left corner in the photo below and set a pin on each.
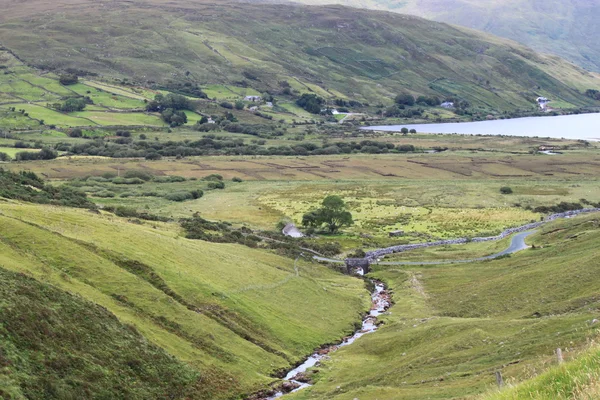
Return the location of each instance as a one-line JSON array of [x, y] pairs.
[[56, 345]]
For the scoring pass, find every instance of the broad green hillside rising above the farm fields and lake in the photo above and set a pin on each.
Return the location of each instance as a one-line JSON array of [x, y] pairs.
[[333, 51]]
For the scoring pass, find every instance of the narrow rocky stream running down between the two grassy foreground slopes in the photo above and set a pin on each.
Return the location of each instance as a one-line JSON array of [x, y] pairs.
[[380, 302]]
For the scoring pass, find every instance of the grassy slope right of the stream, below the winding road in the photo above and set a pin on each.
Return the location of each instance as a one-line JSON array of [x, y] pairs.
[[453, 326]]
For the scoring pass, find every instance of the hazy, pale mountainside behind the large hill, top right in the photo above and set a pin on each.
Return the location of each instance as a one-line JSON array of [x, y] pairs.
[[568, 28]]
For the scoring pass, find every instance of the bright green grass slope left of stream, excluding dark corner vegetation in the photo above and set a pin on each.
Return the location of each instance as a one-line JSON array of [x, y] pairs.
[[229, 314]]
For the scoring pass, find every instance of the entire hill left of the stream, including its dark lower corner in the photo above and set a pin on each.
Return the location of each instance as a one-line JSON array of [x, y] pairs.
[[213, 321]]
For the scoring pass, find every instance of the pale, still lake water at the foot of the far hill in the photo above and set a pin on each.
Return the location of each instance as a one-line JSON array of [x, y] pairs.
[[582, 126]]
